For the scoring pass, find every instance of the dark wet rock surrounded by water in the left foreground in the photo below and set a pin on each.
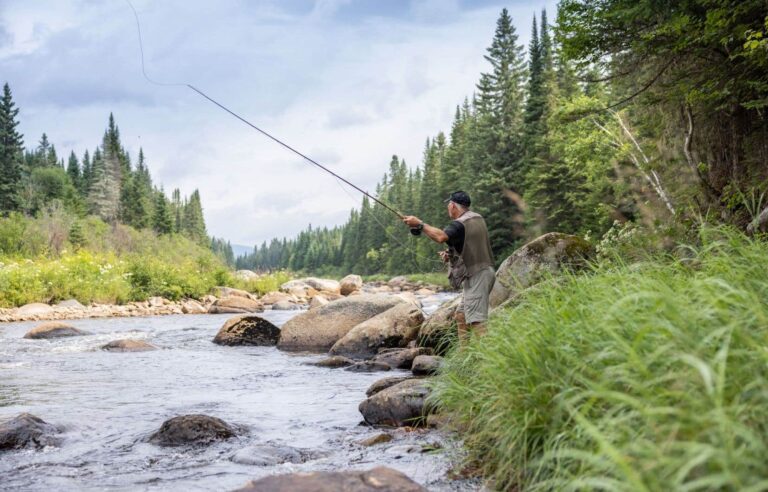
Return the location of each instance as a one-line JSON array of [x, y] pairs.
[[191, 429]]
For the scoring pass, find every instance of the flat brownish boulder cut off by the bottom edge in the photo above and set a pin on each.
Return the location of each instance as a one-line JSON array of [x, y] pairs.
[[379, 479]]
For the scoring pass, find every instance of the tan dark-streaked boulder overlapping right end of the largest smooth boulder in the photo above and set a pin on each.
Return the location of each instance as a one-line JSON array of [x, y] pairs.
[[394, 327]]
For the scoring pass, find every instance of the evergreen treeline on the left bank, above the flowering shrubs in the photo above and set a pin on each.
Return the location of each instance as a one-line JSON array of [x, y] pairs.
[[104, 182]]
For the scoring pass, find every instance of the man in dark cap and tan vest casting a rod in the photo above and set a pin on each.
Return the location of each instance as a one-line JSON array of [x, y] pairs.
[[470, 257]]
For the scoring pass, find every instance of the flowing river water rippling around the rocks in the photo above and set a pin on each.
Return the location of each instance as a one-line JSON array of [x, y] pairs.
[[108, 403]]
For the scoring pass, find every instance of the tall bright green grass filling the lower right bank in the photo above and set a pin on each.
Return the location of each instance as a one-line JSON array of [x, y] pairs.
[[642, 377]]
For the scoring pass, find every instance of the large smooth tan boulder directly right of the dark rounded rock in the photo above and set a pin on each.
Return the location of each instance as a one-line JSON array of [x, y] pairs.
[[319, 329]]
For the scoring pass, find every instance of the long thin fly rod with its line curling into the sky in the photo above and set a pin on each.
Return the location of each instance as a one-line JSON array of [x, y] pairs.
[[339, 178]]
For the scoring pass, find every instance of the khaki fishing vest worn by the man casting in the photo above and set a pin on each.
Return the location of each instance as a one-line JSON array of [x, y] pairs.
[[476, 254]]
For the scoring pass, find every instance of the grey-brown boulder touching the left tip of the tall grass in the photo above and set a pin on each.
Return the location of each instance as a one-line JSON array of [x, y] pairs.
[[399, 405]]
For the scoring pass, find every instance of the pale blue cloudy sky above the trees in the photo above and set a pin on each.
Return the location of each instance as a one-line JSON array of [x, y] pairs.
[[348, 82]]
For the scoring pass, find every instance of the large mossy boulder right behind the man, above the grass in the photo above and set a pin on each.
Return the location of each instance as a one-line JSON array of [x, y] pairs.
[[547, 254]]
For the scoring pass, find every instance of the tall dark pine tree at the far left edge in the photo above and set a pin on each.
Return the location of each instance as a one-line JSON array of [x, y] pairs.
[[11, 152]]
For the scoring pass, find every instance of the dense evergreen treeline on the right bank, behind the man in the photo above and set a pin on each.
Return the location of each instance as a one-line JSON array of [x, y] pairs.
[[650, 112]]
